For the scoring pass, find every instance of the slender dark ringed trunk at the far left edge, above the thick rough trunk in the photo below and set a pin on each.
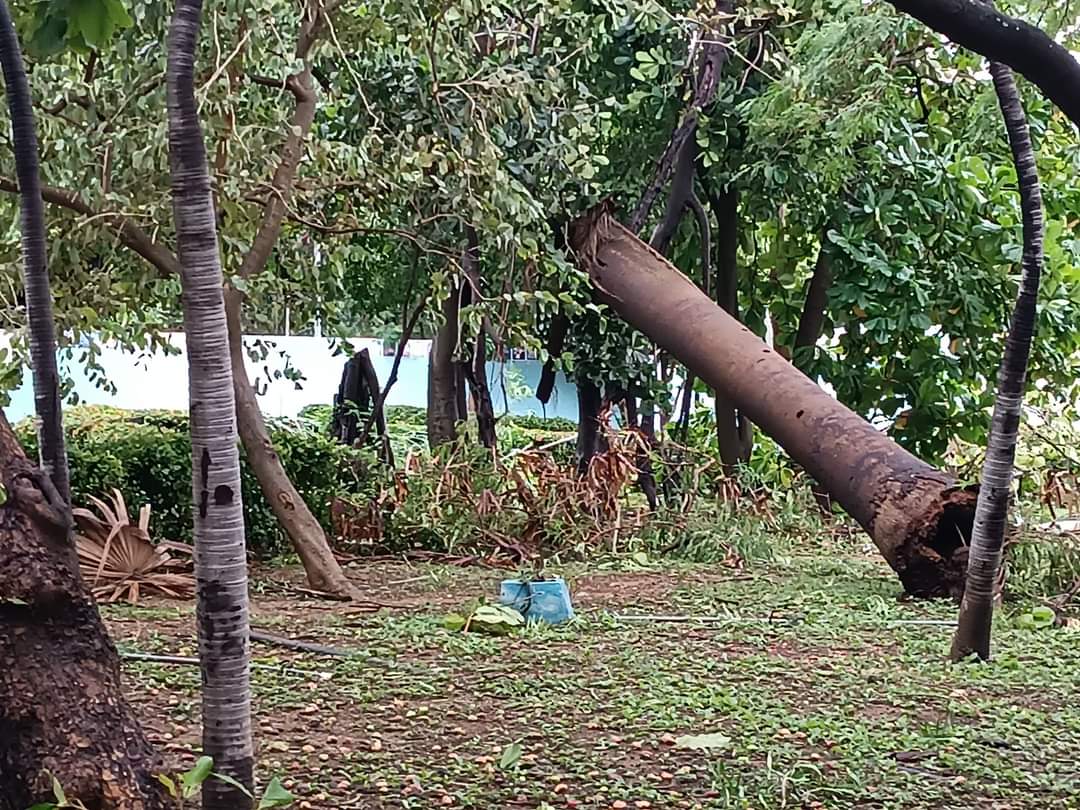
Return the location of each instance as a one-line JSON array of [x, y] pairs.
[[39, 301]]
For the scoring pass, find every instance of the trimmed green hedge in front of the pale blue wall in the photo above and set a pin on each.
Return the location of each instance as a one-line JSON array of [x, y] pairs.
[[147, 456]]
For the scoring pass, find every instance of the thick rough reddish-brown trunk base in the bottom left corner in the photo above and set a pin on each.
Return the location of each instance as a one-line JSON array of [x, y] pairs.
[[62, 701]]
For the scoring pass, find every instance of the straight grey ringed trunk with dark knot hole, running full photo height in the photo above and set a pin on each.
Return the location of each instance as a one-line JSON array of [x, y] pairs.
[[221, 559]]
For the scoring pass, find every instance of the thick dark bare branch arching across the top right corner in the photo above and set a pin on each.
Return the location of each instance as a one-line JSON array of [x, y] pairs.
[[1028, 50]]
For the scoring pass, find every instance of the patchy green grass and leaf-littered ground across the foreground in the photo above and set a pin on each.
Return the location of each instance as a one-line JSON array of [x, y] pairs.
[[827, 692]]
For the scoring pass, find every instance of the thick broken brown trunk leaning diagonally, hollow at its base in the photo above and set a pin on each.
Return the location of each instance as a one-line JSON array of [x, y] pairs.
[[919, 518]]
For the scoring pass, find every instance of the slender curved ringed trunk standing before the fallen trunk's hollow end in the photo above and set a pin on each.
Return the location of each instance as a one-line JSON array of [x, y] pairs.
[[992, 510]]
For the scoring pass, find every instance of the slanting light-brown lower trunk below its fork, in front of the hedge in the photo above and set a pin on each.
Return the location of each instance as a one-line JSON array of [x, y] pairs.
[[304, 530]]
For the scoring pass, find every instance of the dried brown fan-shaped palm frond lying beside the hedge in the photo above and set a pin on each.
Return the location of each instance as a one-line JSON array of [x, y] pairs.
[[118, 561]]
